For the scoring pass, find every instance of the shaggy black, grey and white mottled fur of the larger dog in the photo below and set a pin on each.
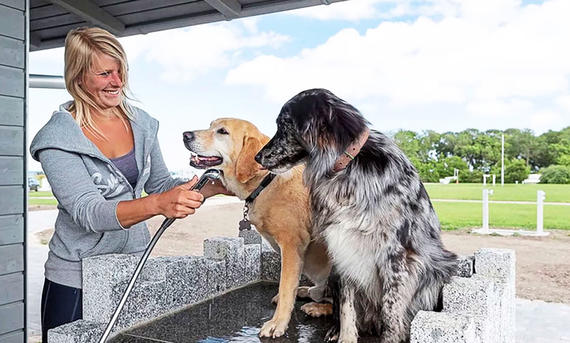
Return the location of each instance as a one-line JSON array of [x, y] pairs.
[[381, 231]]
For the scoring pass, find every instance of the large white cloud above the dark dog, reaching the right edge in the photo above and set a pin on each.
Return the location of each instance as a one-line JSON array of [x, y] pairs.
[[495, 54]]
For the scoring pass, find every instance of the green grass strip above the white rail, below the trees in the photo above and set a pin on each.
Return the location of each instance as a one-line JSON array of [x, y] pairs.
[[473, 191]]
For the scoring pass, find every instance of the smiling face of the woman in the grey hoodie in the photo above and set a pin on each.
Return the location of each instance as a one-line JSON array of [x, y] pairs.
[[104, 81]]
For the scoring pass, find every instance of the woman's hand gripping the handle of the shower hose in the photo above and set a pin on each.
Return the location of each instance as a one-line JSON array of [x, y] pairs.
[[180, 201]]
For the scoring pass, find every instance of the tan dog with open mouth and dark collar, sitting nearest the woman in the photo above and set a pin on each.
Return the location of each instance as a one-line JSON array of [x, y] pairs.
[[281, 212]]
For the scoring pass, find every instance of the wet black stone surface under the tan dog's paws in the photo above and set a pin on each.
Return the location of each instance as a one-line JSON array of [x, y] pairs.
[[236, 316]]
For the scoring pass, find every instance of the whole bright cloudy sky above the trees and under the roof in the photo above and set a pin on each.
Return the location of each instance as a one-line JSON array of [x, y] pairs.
[[443, 65]]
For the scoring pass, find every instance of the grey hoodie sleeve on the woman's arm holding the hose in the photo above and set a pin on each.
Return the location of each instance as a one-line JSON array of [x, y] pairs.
[[71, 184]]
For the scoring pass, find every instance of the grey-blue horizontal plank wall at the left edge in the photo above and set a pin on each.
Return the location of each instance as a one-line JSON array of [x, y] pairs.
[[13, 61]]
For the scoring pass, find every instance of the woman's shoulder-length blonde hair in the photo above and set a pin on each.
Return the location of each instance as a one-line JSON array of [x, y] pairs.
[[81, 46]]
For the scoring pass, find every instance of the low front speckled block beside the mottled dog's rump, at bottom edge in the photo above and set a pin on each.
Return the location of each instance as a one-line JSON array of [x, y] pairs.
[[440, 327]]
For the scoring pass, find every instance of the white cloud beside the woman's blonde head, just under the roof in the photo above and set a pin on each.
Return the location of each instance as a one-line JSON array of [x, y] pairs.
[[183, 54]]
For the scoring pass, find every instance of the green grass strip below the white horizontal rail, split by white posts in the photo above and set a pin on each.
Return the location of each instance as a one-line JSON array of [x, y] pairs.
[[459, 215]]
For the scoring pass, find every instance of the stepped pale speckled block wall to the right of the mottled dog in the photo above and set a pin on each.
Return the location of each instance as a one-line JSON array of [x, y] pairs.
[[478, 306]]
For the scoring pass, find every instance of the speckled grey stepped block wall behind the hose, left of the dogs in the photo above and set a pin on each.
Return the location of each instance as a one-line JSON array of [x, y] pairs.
[[165, 283]]
